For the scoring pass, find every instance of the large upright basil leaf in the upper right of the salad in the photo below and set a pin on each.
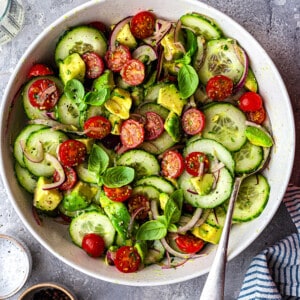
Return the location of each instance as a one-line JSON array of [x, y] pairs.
[[188, 81]]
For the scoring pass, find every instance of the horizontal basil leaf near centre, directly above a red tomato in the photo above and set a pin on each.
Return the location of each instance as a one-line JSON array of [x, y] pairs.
[[118, 176]]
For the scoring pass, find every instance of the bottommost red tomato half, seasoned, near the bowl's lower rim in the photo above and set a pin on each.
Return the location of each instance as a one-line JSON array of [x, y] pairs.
[[127, 259]]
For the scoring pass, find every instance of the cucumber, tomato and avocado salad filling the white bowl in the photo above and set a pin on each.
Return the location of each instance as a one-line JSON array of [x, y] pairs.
[[135, 136]]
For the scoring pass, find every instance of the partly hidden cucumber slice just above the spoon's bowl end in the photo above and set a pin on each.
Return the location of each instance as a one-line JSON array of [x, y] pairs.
[[248, 158]]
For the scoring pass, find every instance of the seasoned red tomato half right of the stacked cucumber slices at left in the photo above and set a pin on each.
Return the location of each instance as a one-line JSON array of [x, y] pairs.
[[71, 153]]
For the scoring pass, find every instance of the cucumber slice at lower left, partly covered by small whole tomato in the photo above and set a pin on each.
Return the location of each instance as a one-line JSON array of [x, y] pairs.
[[92, 222]]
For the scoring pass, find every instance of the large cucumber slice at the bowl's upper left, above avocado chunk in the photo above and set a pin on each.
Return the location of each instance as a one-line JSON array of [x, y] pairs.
[[80, 39]]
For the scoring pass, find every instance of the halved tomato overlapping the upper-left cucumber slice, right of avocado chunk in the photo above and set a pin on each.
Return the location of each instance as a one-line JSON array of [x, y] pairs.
[[94, 64]]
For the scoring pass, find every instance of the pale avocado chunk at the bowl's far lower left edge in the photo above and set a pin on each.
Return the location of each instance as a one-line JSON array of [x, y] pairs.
[[46, 200]]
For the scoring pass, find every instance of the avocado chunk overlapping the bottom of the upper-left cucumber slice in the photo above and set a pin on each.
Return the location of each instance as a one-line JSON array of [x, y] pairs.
[[72, 67]]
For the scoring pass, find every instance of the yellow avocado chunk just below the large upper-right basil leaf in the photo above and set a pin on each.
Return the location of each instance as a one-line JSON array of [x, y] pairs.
[[169, 97]]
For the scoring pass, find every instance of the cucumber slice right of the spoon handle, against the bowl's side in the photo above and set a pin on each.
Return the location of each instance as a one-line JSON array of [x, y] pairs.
[[252, 198]]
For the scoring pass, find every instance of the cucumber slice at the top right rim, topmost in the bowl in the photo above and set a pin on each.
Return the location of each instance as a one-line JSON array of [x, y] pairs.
[[202, 25]]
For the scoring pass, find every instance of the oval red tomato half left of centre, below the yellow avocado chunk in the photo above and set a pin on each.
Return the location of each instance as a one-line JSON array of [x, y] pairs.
[[97, 127]]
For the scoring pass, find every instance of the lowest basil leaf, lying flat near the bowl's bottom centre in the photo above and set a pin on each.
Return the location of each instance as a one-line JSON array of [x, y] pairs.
[[151, 230]]
